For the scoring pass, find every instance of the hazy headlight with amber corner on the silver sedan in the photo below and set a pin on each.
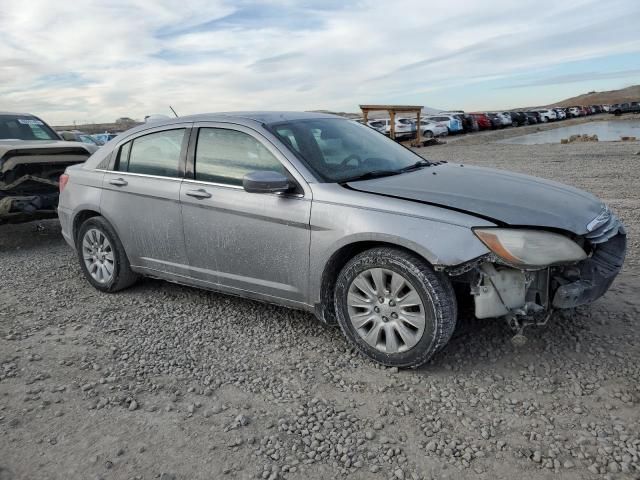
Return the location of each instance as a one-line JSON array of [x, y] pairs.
[[530, 248]]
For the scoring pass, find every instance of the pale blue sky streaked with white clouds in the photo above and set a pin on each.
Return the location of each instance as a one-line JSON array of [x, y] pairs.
[[95, 60]]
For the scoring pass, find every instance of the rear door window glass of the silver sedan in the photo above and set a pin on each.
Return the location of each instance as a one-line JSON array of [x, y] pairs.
[[154, 154]]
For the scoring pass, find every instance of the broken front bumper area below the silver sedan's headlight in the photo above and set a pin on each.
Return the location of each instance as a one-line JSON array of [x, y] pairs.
[[504, 291]]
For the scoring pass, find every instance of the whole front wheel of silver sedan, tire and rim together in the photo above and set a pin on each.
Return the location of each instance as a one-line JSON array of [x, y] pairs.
[[394, 307]]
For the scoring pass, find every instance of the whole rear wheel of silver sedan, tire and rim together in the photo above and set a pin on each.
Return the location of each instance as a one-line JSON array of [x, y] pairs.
[[102, 257]]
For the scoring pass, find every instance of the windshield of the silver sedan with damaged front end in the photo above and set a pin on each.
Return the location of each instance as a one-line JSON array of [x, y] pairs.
[[337, 150]]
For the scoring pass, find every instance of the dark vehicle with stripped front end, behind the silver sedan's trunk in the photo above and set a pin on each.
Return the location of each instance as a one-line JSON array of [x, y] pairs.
[[32, 158]]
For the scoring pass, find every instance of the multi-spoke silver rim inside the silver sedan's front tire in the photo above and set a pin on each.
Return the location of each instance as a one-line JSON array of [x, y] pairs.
[[386, 310]]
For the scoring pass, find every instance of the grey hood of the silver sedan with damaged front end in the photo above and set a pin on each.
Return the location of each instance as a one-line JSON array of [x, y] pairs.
[[503, 197]]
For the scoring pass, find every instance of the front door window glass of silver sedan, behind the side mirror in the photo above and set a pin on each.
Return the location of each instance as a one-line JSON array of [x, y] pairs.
[[225, 156]]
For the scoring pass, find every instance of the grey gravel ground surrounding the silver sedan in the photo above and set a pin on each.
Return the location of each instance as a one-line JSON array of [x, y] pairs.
[[164, 381]]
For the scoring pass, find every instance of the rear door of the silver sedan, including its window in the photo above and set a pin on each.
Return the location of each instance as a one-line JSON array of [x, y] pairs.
[[141, 198]]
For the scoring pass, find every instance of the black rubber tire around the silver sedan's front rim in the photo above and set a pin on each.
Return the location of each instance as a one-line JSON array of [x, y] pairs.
[[435, 291]]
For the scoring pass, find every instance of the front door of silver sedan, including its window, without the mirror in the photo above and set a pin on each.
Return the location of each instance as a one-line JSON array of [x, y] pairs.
[[244, 242]]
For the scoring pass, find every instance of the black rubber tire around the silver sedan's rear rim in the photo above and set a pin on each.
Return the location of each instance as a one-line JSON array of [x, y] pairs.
[[123, 276]]
